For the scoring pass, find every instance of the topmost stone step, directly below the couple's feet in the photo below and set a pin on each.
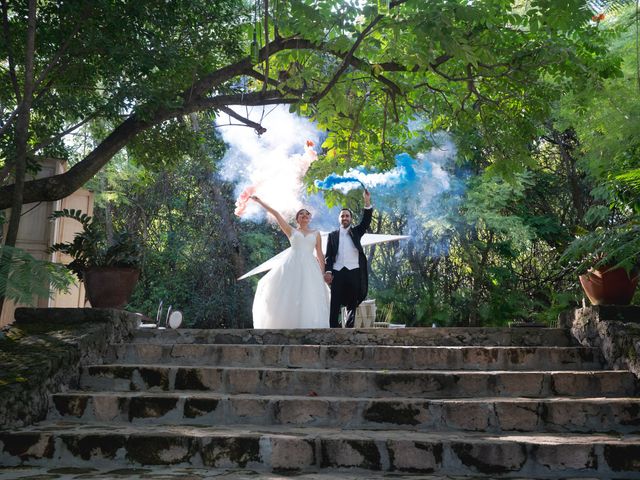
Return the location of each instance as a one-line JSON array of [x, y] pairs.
[[459, 336]]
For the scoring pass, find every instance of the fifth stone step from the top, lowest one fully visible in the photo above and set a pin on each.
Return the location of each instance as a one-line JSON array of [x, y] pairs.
[[539, 455]]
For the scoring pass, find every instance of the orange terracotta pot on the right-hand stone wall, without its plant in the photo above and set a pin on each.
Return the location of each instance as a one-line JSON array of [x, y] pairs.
[[609, 287]]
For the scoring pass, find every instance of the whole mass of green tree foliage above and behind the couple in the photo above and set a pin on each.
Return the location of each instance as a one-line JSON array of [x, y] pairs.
[[509, 80]]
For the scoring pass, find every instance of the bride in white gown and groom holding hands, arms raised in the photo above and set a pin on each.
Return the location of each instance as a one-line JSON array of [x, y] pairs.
[[303, 292]]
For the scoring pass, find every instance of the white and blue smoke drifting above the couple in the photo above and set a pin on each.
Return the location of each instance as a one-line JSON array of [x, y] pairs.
[[275, 163]]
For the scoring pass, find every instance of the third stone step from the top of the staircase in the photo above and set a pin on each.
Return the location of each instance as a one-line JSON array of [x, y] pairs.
[[360, 383]]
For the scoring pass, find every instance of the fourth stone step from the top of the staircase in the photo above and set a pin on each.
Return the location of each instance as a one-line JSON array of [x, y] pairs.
[[494, 415]]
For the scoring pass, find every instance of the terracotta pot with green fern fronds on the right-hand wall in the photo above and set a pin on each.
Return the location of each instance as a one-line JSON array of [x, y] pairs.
[[608, 261]]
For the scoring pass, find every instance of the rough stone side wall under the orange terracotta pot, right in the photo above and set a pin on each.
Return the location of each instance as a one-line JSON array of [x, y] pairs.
[[615, 330]]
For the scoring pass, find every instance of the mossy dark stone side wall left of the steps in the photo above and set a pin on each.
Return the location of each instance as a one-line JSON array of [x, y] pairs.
[[43, 351]]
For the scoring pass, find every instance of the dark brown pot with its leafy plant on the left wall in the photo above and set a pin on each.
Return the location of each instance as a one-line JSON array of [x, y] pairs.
[[109, 268]]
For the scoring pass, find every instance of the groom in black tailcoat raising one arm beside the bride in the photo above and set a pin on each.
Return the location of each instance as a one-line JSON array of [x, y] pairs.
[[346, 265]]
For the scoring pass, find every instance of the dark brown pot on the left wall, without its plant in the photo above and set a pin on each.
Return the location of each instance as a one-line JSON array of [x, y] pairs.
[[110, 287]]
